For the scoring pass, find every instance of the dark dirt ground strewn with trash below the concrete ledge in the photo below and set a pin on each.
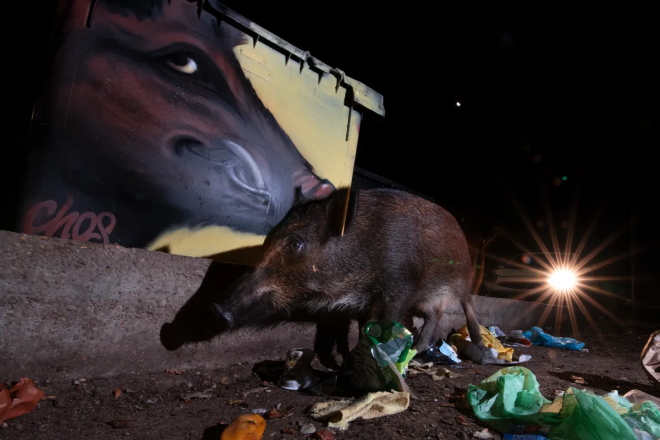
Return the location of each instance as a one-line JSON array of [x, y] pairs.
[[154, 405]]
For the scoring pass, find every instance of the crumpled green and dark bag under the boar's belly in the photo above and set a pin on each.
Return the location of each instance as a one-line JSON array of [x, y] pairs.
[[380, 360]]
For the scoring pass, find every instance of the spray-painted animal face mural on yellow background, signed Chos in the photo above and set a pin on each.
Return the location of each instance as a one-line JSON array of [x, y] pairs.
[[169, 127]]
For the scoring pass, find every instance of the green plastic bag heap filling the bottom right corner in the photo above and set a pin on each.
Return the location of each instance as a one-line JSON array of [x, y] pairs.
[[510, 402]]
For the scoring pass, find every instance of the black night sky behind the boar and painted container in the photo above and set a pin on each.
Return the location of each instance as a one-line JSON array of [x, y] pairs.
[[543, 95]]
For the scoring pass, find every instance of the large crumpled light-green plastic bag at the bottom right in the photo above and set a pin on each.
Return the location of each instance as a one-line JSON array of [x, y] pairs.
[[511, 397]]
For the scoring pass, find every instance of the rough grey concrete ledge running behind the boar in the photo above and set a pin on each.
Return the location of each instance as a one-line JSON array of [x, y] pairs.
[[71, 308]]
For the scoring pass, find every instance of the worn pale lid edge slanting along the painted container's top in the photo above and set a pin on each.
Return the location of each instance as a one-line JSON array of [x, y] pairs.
[[362, 94]]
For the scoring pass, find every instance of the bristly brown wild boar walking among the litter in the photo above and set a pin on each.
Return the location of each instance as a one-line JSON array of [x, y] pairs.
[[400, 256]]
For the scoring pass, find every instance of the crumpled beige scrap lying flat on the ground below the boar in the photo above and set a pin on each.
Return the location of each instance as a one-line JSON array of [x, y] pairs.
[[339, 414]]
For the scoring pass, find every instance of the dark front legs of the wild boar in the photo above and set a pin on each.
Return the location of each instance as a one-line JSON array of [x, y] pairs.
[[332, 329]]
